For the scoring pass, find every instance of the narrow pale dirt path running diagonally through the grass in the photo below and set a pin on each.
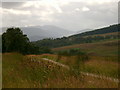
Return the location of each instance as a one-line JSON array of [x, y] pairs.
[[84, 73]]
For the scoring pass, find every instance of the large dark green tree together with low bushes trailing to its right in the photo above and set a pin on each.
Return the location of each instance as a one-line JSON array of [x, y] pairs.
[[13, 40]]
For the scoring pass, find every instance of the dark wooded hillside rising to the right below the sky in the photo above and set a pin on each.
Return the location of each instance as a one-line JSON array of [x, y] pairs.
[[107, 33]]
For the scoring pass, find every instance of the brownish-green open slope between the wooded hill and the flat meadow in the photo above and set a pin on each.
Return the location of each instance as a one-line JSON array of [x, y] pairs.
[[103, 48]]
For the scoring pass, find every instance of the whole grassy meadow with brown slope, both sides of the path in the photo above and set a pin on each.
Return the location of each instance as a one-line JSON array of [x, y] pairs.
[[31, 71]]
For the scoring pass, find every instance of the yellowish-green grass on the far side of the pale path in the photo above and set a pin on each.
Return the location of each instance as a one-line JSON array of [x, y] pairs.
[[106, 66]]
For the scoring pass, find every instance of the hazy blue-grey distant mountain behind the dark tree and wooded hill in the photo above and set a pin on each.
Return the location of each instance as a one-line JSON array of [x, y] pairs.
[[40, 32]]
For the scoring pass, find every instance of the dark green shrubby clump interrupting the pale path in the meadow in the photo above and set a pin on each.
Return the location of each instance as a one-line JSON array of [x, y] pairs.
[[79, 60]]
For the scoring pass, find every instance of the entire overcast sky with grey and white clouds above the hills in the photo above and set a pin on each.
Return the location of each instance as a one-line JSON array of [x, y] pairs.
[[74, 15]]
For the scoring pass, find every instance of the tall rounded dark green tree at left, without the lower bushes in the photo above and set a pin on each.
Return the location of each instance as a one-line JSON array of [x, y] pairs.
[[13, 40]]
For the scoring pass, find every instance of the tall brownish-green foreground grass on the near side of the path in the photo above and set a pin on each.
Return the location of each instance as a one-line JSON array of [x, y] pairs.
[[32, 72]]
